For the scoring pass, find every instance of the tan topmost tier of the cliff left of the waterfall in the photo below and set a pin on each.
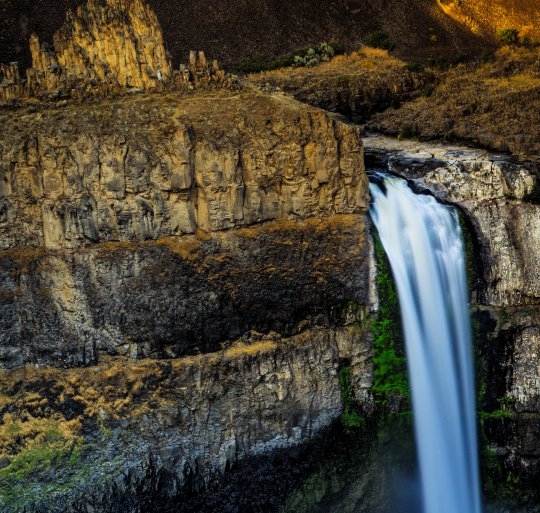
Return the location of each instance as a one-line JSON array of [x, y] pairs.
[[149, 169]]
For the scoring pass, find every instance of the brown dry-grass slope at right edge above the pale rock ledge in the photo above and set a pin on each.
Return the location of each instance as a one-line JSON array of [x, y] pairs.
[[493, 104]]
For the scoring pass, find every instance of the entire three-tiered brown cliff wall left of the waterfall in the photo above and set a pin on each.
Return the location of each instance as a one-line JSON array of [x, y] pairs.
[[181, 280]]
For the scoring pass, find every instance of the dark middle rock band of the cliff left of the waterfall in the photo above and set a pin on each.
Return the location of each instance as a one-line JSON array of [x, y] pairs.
[[179, 296]]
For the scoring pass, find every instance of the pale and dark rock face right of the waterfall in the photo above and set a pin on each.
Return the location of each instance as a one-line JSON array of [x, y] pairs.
[[498, 196]]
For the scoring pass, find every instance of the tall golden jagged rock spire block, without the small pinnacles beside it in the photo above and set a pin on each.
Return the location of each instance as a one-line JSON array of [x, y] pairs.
[[108, 41]]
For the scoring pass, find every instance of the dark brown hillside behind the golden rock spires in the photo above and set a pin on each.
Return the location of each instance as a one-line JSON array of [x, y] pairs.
[[238, 30]]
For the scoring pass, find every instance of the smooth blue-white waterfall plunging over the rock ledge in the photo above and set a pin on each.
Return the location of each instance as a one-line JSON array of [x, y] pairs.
[[422, 239]]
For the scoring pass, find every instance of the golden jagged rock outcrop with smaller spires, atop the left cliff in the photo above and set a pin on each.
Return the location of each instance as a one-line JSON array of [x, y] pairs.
[[105, 47]]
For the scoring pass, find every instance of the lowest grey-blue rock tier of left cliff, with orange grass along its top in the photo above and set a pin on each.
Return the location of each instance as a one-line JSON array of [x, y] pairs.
[[183, 423]]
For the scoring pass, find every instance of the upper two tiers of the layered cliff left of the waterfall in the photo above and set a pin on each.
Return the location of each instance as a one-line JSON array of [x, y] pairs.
[[160, 169]]
